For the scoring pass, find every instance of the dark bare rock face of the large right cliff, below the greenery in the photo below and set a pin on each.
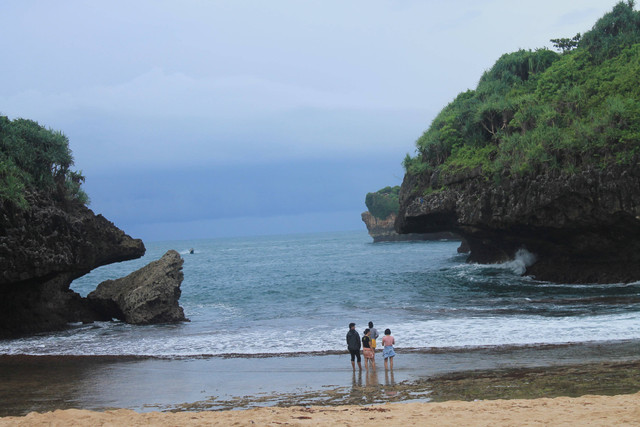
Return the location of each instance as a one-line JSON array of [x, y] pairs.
[[582, 228]]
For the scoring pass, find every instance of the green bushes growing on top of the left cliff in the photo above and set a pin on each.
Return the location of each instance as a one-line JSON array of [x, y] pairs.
[[32, 157]]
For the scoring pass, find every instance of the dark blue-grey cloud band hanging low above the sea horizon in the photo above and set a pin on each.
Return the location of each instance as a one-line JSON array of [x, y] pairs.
[[290, 188]]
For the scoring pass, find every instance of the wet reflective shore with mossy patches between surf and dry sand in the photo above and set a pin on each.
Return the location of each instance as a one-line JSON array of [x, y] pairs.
[[45, 384]]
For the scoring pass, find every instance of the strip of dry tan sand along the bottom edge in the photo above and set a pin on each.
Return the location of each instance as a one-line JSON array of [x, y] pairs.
[[586, 410]]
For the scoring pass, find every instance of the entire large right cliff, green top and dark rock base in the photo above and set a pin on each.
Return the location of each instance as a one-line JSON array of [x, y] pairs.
[[542, 156]]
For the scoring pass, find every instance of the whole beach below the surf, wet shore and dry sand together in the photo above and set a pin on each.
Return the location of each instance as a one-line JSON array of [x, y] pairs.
[[133, 391]]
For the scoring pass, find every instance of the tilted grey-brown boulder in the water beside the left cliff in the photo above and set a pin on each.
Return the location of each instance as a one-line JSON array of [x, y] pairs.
[[146, 296]]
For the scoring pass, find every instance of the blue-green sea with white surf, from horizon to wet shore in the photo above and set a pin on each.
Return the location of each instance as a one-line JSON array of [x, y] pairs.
[[296, 294]]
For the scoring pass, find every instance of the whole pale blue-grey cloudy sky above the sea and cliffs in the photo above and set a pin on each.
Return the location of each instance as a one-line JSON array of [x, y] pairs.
[[204, 118]]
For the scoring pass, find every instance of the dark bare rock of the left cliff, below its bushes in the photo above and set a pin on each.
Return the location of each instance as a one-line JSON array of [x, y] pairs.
[[42, 250]]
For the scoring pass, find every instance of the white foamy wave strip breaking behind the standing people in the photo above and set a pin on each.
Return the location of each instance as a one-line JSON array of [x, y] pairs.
[[121, 339]]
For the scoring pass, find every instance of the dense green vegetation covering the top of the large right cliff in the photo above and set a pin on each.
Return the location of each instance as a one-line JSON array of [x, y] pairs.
[[540, 110]]
